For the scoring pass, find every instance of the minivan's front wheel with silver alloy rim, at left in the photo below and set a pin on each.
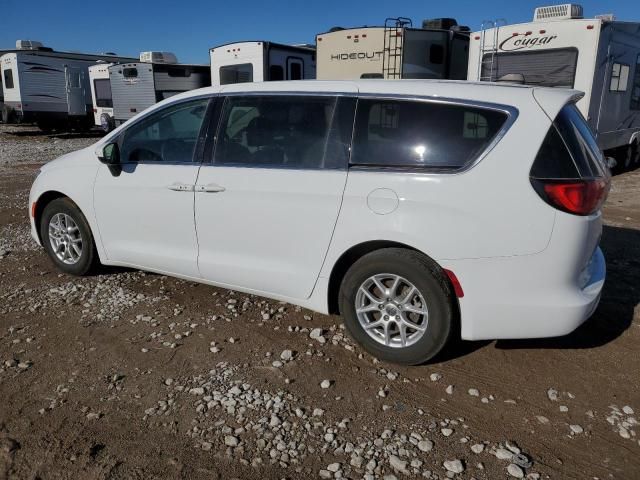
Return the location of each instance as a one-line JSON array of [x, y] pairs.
[[73, 263]]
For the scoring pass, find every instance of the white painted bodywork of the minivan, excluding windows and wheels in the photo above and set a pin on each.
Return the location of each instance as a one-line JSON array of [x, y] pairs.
[[272, 231]]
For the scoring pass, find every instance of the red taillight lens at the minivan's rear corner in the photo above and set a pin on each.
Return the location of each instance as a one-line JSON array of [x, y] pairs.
[[579, 197]]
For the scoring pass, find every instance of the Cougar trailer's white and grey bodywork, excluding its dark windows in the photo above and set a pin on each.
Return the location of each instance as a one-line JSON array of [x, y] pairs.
[[599, 44]]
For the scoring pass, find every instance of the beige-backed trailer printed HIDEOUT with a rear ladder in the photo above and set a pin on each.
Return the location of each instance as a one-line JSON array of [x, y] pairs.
[[437, 50]]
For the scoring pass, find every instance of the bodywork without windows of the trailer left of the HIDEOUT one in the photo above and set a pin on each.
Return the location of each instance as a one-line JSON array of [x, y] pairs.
[[262, 56]]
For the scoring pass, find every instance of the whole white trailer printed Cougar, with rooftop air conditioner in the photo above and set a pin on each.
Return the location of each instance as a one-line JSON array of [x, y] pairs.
[[599, 56]]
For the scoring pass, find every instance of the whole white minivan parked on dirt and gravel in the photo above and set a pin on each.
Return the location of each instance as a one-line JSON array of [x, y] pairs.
[[420, 211]]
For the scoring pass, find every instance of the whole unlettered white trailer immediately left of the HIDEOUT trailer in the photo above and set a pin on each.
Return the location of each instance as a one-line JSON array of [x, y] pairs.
[[261, 61]]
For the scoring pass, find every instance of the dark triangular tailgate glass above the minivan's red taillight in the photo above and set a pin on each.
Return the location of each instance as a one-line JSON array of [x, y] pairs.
[[569, 151]]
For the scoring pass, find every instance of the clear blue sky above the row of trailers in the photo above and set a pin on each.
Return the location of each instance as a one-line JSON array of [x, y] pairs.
[[190, 28]]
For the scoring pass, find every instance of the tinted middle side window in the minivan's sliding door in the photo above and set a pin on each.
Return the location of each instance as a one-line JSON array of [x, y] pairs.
[[275, 132]]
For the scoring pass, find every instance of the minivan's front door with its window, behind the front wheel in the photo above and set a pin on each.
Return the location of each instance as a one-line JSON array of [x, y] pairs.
[[145, 212]]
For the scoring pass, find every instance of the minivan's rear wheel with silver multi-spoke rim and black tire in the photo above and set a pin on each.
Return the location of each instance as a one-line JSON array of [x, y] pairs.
[[430, 282]]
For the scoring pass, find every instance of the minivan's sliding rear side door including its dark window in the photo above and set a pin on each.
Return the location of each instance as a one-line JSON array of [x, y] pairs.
[[267, 205]]
